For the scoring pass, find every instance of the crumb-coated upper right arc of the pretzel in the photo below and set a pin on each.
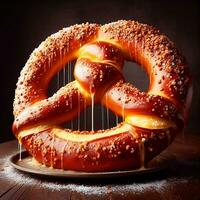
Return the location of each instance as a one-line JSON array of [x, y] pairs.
[[144, 44]]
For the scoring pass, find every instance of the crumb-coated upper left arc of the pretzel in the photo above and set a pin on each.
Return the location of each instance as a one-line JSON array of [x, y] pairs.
[[48, 59]]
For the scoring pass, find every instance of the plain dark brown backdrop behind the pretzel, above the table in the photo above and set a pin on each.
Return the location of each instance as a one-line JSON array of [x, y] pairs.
[[25, 25]]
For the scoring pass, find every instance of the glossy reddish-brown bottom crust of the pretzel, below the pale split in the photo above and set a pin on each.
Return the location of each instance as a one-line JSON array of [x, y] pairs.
[[118, 152]]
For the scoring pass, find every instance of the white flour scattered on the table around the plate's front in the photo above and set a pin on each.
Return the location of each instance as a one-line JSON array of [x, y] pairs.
[[11, 174]]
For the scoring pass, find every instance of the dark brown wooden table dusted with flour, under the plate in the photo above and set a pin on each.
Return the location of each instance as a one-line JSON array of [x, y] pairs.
[[180, 181]]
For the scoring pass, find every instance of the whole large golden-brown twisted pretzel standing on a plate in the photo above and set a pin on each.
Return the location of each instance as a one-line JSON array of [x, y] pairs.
[[151, 119]]
